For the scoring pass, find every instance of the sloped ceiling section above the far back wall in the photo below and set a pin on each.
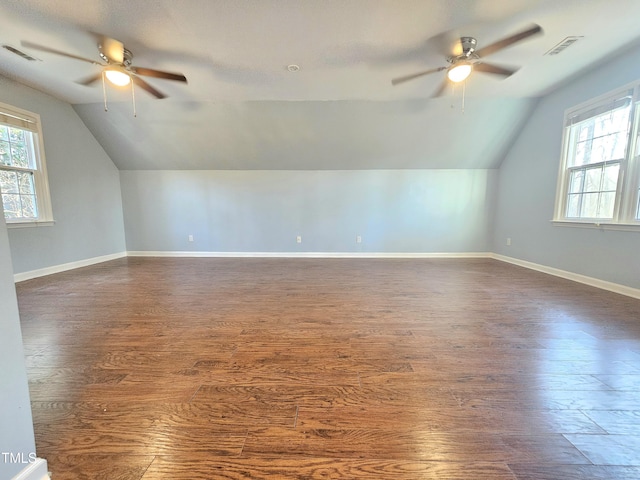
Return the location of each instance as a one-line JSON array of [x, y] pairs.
[[332, 135]]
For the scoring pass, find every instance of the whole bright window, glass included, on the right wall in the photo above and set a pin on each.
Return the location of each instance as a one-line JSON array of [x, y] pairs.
[[598, 181]]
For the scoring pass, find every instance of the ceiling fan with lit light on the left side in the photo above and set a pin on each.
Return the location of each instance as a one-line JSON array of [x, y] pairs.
[[118, 67]]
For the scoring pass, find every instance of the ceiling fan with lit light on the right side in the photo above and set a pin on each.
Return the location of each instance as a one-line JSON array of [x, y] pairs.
[[467, 59]]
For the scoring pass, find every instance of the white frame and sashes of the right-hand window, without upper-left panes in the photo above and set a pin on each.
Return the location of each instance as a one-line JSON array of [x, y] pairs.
[[626, 214]]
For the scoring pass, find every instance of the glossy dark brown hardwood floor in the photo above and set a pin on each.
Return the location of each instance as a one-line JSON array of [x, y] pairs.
[[150, 368]]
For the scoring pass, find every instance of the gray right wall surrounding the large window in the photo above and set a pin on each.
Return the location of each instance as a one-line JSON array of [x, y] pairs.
[[527, 190]]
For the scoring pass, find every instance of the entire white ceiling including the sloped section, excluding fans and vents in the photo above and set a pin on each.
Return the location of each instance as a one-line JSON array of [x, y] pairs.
[[242, 109]]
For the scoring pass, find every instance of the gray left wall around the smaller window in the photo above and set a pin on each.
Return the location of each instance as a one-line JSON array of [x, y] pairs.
[[84, 184]]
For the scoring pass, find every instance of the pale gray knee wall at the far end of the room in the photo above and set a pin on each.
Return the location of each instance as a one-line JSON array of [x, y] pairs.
[[263, 211]]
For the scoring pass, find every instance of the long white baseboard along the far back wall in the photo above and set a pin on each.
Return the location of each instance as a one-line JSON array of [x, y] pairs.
[[311, 254]]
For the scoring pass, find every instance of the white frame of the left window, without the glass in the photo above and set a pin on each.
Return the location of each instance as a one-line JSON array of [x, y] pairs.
[[18, 118]]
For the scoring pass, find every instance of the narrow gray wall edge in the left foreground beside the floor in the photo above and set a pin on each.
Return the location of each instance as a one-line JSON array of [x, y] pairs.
[[16, 426]]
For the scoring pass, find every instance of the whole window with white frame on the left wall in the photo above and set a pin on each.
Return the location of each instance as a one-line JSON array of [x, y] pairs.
[[23, 178]]
